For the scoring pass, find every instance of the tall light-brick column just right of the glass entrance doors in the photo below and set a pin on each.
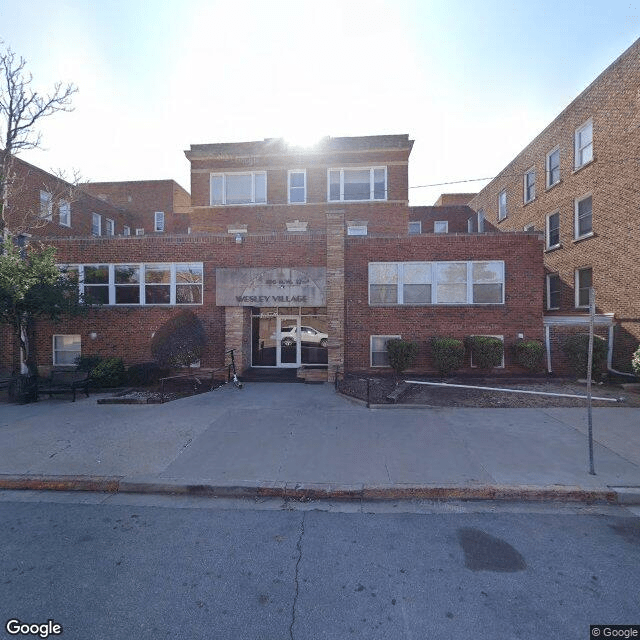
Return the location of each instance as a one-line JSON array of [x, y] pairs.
[[335, 290]]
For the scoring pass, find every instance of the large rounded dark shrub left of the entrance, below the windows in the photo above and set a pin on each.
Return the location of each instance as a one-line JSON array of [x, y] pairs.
[[180, 341]]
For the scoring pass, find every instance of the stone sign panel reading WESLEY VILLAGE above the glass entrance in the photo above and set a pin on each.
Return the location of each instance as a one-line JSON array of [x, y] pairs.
[[271, 287]]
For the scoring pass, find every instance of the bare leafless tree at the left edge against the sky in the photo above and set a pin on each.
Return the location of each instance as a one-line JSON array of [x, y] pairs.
[[21, 109]]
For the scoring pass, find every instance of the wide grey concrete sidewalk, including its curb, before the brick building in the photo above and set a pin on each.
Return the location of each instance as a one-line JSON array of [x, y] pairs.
[[306, 441]]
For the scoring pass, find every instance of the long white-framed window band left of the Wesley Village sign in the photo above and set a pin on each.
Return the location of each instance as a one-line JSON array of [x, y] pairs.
[[141, 283]]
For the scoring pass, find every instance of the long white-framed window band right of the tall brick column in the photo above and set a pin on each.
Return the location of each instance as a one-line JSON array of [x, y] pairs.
[[473, 282]]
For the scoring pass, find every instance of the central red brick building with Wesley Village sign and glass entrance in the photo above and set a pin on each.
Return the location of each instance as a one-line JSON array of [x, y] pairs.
[[303, 257]]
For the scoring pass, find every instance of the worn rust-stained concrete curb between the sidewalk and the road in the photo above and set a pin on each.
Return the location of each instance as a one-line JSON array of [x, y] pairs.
[[307, 492]]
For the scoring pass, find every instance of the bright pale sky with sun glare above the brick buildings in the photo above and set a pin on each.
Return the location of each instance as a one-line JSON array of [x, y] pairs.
[[472, 82]]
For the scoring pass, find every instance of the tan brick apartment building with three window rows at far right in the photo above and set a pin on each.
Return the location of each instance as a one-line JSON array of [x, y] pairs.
[[577, 182]]
